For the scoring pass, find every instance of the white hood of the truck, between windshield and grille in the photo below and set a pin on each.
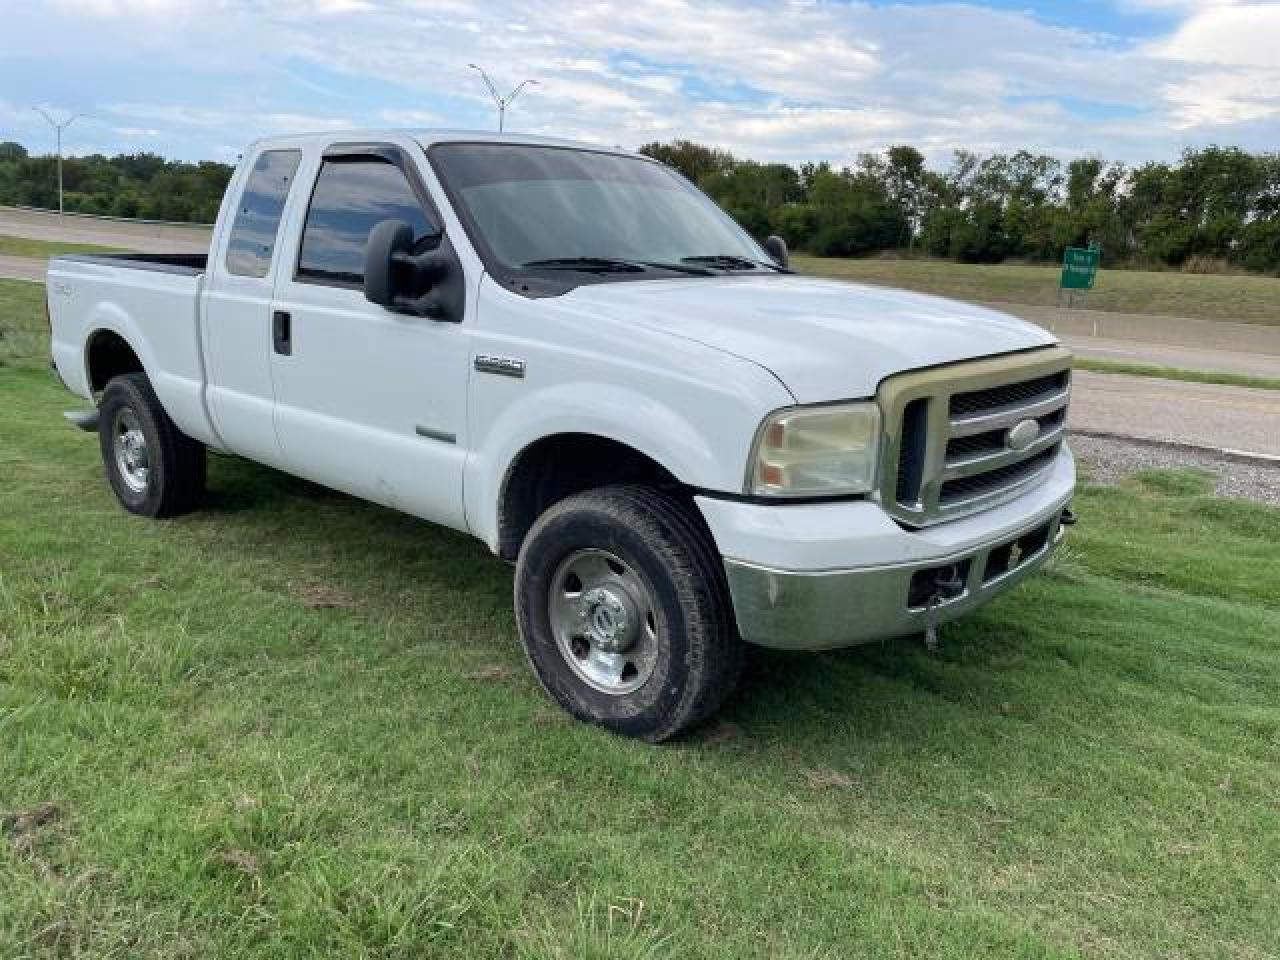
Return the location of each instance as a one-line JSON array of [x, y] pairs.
[[825, 340]]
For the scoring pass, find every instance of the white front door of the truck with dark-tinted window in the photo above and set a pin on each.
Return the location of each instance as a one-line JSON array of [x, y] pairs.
[[368, 401]]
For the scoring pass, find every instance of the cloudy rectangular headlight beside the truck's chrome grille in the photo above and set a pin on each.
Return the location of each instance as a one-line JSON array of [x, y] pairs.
[[816, 452]]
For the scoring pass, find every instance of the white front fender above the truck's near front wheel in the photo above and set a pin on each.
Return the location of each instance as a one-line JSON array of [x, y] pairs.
[[689, 408]]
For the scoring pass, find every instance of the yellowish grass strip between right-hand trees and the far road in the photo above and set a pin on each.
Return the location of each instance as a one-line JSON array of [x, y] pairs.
[[1252, 300]]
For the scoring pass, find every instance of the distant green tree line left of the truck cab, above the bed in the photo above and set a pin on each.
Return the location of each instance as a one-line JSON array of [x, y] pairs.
[[129, 185]]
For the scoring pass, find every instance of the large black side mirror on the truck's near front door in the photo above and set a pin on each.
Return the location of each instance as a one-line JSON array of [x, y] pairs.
[[419, 285]]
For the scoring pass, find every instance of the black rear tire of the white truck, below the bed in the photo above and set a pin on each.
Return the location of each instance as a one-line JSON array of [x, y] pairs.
[[176, 464]]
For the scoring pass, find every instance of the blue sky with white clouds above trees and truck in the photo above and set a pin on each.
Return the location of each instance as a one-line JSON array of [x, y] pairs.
[[799, 80]]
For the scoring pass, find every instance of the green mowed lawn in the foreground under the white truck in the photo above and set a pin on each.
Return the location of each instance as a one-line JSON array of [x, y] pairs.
[[296, 725]]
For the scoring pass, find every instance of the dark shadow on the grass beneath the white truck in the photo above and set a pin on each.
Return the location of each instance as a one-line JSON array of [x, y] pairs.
[[382, 556]]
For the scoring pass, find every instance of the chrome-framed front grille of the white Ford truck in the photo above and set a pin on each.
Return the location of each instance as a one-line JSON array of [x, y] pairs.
[[948, 449]]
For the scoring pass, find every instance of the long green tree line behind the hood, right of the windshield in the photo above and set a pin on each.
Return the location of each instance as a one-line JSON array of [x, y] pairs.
[[1214, 205]]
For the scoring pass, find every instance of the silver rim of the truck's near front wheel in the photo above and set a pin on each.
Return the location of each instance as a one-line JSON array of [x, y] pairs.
[[605, 623]]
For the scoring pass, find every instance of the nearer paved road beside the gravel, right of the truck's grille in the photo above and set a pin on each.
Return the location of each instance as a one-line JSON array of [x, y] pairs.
[[1209, 415]]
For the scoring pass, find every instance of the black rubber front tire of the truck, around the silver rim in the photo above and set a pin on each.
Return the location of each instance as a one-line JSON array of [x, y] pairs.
[[665, 543]]
